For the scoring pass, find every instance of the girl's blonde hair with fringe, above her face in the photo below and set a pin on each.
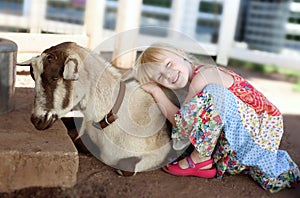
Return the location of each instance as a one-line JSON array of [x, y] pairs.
[[153, 57]]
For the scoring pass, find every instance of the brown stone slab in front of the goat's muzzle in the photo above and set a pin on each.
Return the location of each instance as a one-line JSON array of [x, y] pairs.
[[32, 158]]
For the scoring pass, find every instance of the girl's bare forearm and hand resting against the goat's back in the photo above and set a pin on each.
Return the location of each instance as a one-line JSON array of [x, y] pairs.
[[165, 105]]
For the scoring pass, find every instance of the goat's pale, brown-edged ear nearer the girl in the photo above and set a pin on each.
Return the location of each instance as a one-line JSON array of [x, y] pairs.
[[71, 68]]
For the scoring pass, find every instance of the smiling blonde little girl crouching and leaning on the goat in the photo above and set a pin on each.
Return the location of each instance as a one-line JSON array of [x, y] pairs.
[[229, 123]]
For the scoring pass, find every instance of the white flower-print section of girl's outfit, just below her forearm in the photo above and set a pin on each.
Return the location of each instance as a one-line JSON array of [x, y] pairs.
[[199, 121]]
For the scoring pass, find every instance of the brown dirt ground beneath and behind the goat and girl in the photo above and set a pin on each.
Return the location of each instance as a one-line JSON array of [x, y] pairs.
[[96, 179]]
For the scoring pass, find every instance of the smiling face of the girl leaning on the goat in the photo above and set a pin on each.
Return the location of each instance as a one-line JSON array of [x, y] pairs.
[[173, 73]]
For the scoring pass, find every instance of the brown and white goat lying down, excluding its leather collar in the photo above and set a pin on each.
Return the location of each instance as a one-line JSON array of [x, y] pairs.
[[68, 75]]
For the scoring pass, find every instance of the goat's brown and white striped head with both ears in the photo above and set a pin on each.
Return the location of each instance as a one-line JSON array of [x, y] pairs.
[[54, 72]]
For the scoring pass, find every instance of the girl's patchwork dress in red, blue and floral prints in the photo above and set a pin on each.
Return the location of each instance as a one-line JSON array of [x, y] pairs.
[[241, 129]]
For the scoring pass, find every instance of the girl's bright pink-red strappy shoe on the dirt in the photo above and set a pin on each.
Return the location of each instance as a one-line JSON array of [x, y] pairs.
[[193, 170]]
